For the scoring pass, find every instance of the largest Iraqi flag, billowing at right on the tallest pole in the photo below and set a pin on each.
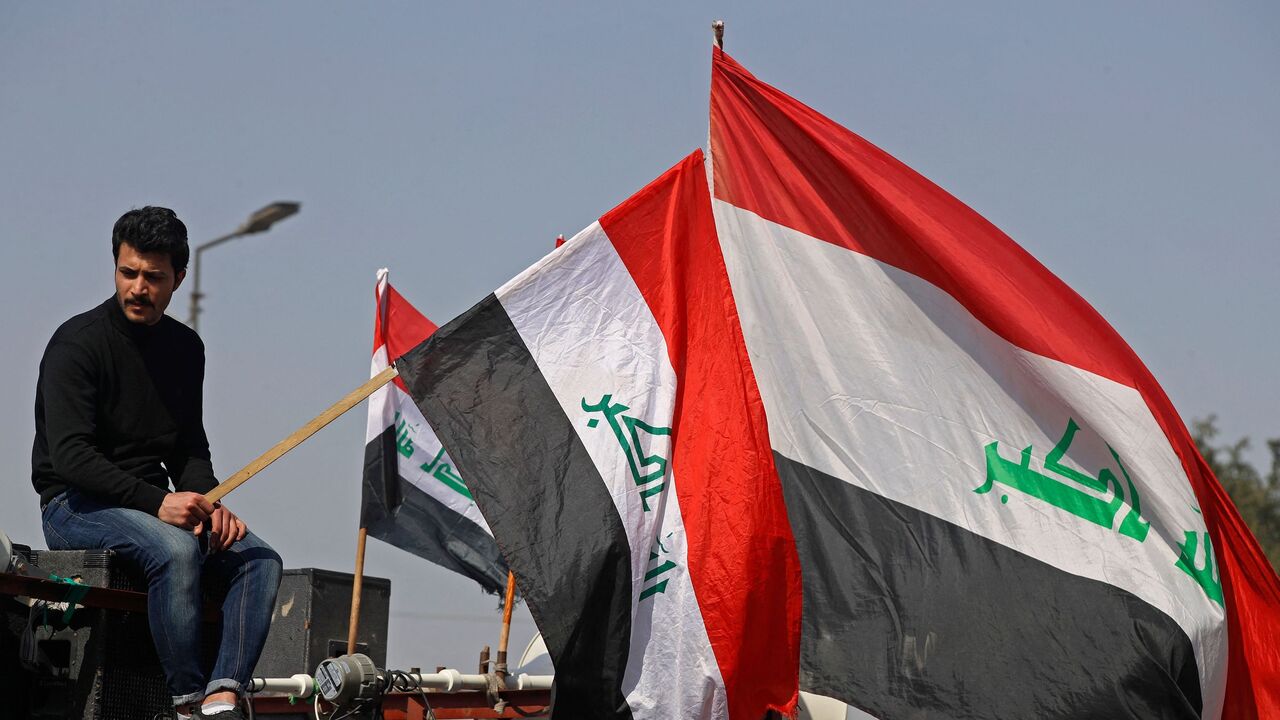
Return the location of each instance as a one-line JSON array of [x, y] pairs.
[[998, 512]]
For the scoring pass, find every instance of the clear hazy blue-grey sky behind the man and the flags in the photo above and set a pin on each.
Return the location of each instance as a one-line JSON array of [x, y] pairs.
[[1131, 147]]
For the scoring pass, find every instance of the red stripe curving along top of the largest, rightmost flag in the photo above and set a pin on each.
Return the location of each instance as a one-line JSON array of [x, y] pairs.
[[789, 165]]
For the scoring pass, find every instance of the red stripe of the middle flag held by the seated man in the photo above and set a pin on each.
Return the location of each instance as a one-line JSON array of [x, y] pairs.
[[742, 554]]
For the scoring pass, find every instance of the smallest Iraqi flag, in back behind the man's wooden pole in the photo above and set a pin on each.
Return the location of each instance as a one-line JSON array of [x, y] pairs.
[[413, 496]]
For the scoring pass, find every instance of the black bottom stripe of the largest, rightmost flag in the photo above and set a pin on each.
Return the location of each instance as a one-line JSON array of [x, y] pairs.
[[907, 616]]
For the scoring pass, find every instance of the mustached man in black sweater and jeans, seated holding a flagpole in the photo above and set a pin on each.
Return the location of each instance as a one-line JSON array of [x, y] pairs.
[[118, 418]]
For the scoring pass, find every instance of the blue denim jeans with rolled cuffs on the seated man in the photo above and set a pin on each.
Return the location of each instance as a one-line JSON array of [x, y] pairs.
[[175, 566]]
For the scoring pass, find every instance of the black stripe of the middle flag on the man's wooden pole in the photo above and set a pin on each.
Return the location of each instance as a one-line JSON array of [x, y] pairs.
[[481, 390]]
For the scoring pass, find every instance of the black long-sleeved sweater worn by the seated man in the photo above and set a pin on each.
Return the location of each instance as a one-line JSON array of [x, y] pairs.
[[118, 411]]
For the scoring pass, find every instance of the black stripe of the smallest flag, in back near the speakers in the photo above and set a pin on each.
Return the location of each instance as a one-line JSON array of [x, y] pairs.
[[399, 513]]
